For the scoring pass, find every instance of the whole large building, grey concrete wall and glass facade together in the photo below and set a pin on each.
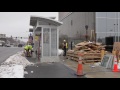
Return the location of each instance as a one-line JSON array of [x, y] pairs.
[[102, 26]]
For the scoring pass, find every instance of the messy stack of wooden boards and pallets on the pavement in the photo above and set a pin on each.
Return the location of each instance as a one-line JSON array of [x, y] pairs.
[[91, 52]]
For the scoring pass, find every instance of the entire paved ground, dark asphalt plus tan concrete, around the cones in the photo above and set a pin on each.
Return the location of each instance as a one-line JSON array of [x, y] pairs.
[[67, 69]]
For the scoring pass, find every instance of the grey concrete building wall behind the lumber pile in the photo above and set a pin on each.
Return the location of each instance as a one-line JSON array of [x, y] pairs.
[[74, 25]]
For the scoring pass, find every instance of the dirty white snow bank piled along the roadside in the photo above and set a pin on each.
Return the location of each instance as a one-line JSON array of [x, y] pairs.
[[14, 66]]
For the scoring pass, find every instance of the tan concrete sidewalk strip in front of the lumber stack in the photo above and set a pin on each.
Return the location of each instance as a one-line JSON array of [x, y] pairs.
[[91, 72]]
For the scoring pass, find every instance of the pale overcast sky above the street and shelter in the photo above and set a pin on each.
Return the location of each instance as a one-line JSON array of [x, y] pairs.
[[17, 23]]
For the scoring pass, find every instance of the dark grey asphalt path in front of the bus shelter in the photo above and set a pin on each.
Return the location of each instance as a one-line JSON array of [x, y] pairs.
[[49, 70]]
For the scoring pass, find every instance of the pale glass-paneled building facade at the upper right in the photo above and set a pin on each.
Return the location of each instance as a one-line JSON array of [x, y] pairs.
[[107, 25]]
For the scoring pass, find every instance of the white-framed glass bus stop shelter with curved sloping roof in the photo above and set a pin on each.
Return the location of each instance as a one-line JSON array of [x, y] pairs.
[[45, 38]]
